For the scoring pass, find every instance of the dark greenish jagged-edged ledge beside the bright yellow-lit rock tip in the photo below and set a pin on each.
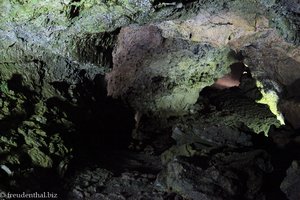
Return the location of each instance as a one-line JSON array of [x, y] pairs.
[[229, 108]]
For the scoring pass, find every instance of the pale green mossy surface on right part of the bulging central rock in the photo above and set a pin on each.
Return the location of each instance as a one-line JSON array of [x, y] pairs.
[[190, 74]]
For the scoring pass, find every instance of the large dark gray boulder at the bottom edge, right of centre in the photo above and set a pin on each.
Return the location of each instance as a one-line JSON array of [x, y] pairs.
[[220, 175]]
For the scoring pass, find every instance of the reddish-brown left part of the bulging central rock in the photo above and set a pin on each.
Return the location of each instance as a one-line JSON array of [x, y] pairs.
[[134, 44]]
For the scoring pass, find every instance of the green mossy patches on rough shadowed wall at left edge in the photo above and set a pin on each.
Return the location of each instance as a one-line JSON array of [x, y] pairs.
[[25, 131]]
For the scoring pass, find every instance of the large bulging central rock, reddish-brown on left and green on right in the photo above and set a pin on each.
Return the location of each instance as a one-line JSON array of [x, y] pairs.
[[163, 75]]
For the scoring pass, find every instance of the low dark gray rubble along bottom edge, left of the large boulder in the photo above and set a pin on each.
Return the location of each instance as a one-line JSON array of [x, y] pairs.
[[101, 184]]
